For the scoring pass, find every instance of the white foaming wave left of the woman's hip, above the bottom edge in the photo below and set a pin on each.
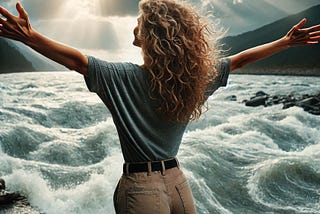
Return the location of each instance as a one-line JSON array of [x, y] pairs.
[[52, 188]]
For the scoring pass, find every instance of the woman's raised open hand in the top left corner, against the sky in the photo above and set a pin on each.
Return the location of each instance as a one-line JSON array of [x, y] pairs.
[[15, 27]]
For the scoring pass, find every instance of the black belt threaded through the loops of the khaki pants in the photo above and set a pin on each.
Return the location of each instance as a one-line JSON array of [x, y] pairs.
[[155, 166]]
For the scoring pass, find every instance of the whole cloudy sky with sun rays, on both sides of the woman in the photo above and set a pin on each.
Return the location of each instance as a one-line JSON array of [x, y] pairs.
[[105, 26]]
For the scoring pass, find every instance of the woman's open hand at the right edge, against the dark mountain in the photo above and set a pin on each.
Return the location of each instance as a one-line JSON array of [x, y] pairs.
[[303, 36]]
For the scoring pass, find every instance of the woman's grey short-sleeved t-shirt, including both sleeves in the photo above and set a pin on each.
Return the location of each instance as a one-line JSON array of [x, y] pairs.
[[145, 135]]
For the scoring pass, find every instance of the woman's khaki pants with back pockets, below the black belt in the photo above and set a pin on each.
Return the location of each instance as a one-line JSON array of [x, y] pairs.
[[154, 192]]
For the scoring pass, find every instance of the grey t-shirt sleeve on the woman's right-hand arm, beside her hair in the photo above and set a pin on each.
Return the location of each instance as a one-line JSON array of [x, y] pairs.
[[221, 80]]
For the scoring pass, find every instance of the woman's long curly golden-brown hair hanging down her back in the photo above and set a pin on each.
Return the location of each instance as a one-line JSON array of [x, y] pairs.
[[179, 54]]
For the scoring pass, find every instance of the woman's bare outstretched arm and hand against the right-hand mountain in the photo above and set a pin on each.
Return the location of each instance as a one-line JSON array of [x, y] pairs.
[[296, 36]]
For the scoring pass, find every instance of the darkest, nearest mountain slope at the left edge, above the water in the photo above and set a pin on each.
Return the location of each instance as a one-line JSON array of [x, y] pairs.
[[11, 60]]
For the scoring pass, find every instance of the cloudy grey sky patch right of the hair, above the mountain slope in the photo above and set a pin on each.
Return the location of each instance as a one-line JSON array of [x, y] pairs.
[[240, 16]]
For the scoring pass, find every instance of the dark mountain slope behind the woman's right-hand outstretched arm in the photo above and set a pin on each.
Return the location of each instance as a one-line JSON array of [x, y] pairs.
[[297, 61]]
